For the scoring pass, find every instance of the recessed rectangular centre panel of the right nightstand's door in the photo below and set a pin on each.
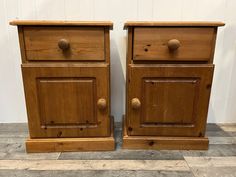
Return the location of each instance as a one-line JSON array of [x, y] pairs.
[[169, 100]]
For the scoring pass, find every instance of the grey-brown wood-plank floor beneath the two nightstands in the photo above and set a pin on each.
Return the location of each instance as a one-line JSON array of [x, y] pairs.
[[218, 161]]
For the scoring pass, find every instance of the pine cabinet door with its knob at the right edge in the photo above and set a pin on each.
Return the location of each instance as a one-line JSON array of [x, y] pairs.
[[67, 101]]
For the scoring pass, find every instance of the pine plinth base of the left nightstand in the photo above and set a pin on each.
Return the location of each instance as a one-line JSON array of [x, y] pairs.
[[72, 144]]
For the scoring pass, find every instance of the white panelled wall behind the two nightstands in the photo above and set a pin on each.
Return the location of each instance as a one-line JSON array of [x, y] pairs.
[[223, 99]]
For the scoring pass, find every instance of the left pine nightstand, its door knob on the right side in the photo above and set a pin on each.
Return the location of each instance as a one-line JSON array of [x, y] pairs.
[[66, 75]]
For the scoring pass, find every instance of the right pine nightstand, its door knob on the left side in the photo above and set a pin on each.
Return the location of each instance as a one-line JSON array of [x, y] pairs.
[[169, 78]]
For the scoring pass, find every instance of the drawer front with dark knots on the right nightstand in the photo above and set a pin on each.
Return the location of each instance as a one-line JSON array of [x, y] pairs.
[[173, 44]]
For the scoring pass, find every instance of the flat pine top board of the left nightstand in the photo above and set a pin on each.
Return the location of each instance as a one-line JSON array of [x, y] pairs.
[[61, 23]]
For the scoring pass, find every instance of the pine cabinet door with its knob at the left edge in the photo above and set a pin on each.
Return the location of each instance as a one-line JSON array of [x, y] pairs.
[[168, 100]]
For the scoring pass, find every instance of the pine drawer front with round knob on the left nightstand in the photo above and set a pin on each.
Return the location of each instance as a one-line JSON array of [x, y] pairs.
[[64, 43]]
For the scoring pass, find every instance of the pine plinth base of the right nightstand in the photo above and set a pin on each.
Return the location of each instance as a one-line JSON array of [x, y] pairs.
[[163, 142]]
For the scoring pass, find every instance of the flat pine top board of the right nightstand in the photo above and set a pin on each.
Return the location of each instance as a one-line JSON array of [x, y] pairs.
[[171, 23]]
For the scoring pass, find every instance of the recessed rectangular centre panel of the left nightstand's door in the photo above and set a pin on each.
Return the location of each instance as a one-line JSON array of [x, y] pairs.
[[67, 101]]
